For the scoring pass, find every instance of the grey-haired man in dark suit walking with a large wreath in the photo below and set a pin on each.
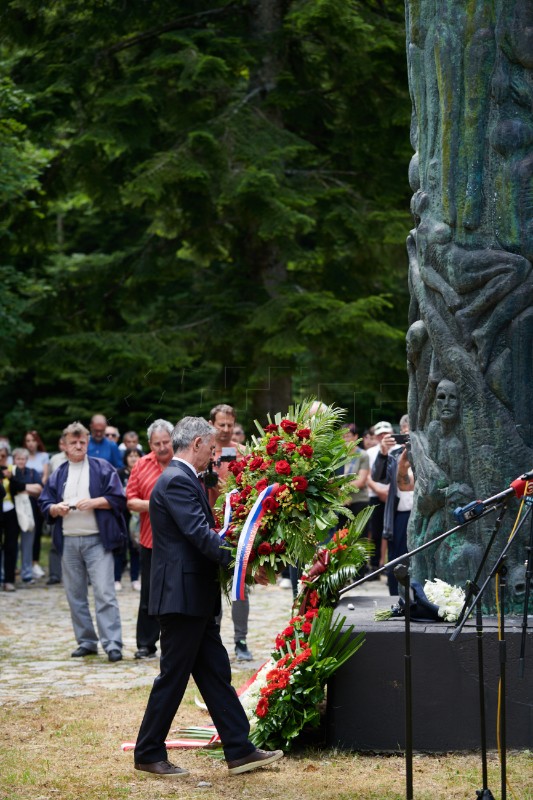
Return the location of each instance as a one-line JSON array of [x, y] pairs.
[[185, 595]]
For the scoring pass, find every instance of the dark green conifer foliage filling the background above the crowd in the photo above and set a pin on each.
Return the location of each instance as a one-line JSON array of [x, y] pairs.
[[210, 204]]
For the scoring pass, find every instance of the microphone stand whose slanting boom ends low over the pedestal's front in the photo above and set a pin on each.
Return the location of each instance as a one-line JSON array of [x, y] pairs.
[[500, 569]]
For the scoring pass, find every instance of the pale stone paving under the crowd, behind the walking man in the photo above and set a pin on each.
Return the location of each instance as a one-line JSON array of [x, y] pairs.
[[36, 641]]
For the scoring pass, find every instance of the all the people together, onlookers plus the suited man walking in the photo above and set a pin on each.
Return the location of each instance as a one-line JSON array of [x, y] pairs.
[[108, 504]]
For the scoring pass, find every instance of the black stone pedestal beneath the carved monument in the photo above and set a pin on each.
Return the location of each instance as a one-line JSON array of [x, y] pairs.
[[365, 709]]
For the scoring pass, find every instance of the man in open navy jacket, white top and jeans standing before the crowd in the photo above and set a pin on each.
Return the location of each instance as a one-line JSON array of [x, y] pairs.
[[84, 501]]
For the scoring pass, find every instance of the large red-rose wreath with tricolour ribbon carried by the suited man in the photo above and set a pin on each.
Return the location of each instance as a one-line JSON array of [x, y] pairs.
[[286, 493]]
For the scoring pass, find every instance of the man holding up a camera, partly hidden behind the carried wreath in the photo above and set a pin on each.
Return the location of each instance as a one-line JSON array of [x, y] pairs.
[[222, 418]]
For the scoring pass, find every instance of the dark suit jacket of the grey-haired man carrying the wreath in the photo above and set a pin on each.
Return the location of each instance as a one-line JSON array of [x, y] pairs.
[[186, 553]]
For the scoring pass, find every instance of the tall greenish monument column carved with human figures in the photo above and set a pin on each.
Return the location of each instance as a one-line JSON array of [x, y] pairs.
[[470, 340]]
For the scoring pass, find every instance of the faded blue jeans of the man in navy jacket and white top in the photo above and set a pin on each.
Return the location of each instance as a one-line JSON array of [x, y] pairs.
[[84, 559]]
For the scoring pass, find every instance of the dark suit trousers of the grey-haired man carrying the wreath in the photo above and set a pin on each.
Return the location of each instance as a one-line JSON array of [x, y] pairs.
[[192, 646]]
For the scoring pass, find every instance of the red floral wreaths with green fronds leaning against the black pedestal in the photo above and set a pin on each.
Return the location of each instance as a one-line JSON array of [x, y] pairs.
[[286, 693]]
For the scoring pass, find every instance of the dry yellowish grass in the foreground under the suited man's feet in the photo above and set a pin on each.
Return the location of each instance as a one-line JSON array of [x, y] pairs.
[[69, 749]]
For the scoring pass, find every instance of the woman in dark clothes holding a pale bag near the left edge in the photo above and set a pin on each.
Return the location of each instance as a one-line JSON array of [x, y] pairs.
[[26, 486]]
